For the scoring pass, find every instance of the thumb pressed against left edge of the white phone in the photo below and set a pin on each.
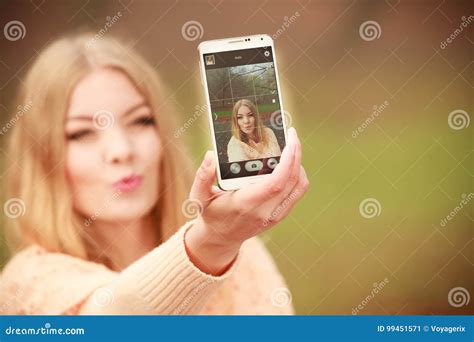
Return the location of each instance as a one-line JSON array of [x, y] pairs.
[[205, 177]]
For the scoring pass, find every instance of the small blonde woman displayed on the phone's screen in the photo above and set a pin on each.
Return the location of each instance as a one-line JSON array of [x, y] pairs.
[[250, 139]]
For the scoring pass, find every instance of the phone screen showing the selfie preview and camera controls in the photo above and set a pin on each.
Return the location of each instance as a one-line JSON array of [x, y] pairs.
[[246, 111]]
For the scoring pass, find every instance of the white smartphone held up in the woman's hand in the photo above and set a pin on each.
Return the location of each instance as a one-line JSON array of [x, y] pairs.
[[246, 115]]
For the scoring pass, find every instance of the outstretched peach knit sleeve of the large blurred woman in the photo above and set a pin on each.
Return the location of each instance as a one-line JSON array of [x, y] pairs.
[[164, 281]]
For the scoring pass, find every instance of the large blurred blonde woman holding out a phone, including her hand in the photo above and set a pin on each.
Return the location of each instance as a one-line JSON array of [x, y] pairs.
[[101, 186]]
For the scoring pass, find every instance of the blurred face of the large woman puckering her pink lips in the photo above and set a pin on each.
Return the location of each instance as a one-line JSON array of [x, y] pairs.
[[113, 148]]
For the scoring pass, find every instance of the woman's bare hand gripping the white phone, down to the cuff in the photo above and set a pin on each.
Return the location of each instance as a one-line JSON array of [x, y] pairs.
[[228, 218]]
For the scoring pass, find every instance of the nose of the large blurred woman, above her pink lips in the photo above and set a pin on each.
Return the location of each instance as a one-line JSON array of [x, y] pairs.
[[117, 147]]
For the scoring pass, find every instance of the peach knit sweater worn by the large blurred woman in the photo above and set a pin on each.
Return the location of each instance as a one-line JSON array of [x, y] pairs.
[[162, 282]]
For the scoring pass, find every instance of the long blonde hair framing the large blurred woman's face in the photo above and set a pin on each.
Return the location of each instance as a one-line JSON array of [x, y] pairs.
[[37, 145]]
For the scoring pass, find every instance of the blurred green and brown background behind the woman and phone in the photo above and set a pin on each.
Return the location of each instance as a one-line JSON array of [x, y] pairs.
[[410, 158]]
